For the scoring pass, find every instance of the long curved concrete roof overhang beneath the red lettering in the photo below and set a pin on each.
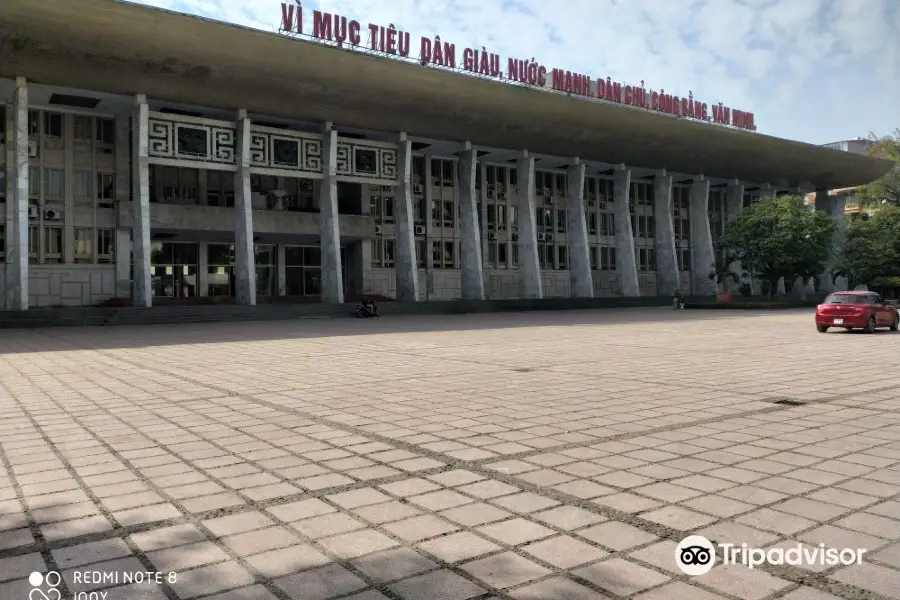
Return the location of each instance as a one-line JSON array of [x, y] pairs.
[[124, 48]]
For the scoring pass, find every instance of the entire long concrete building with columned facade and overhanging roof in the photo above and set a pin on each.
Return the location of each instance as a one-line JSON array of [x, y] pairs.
[[152, 155]]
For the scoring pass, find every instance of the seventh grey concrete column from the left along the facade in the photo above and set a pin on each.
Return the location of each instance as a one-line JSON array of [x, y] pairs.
[[529, 265]]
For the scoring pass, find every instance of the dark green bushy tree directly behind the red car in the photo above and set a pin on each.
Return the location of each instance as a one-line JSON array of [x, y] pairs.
[[870, 248]]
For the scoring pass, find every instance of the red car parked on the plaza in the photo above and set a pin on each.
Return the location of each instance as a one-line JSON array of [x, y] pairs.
[[856, 310]]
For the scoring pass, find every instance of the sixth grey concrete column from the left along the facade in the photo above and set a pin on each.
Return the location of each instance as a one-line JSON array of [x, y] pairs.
[[470, 259]]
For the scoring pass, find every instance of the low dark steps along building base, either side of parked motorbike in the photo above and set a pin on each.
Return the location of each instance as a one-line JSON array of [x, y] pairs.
[[86, 317]]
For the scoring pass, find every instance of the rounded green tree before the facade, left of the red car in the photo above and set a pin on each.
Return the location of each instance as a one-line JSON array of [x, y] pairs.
[[780, 237]]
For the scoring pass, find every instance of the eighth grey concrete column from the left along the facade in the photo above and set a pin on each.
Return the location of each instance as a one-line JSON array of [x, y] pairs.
[[581, 279]]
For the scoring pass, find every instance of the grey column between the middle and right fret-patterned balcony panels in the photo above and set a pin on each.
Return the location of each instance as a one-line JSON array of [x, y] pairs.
[[329, 223]]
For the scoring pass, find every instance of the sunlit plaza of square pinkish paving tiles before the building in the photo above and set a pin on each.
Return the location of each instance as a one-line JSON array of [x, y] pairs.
[[527, 456]]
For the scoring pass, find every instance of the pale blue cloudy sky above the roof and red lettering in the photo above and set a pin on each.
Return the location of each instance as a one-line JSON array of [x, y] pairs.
[[818, 71]]
